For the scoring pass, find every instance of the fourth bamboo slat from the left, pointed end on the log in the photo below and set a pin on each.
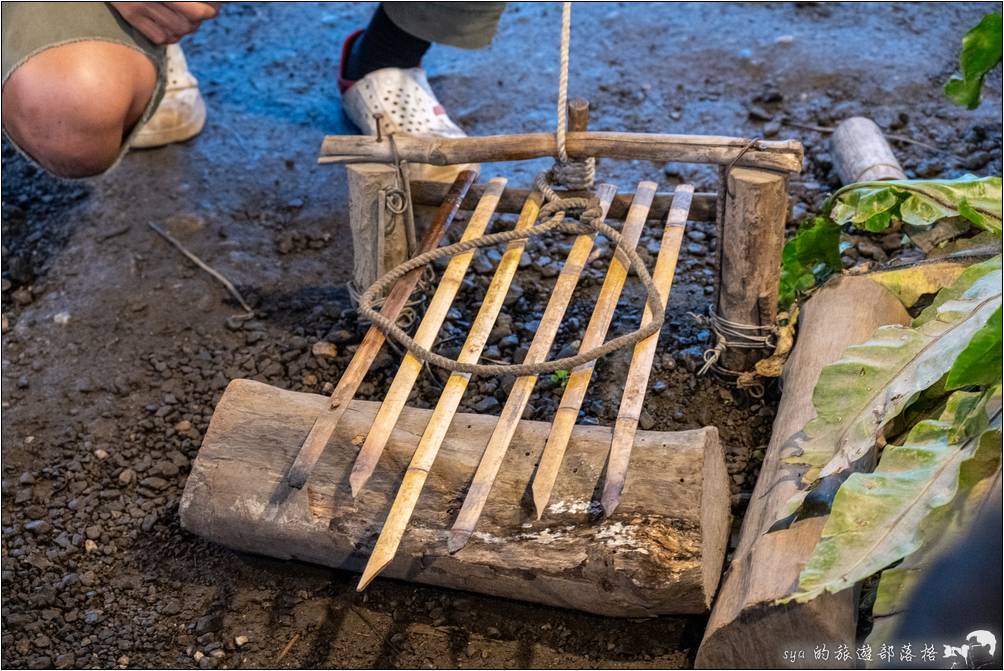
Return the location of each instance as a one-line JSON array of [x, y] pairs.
[[523, 388]]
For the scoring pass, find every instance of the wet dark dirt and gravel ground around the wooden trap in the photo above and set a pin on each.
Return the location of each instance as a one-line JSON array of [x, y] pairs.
[[116, 349]]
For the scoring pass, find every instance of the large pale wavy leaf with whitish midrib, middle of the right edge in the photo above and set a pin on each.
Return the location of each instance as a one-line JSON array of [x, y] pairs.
[[873, 383]]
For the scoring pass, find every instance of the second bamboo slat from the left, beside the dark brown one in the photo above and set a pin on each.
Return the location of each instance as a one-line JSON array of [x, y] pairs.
[[411, 367]]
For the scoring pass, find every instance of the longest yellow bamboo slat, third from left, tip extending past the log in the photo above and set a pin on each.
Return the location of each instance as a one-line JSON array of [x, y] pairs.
[[446, 408]]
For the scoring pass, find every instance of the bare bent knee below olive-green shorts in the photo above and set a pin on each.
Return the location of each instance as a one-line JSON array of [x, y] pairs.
[[72, 111]]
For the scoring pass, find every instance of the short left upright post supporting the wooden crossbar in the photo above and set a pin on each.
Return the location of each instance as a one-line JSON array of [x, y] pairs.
[[376, 249]]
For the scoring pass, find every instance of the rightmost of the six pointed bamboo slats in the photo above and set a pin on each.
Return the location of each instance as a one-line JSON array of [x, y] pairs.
[[645, 354]]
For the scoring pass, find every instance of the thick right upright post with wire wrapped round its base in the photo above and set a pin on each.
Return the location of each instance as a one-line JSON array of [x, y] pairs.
[[751, 237]]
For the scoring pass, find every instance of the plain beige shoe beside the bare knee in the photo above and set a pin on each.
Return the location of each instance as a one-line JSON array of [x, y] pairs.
[[182, 112]]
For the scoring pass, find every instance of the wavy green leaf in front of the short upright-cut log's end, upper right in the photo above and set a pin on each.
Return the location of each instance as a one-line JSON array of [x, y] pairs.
[[873, 205]]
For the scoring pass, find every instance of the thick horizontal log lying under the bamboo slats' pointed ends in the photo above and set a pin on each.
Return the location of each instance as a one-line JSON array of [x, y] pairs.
[[658, 555]]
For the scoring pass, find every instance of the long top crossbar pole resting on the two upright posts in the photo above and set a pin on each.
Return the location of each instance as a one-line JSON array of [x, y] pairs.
[[785, 156]]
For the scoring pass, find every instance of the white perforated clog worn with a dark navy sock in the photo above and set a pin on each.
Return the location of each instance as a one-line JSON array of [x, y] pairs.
[[408, 105]]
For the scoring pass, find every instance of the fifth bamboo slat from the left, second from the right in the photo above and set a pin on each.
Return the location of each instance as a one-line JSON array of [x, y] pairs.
[[596, 332]]
